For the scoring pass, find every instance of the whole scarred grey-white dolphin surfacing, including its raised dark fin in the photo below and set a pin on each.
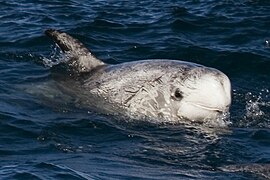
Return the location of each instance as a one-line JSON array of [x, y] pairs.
[[157, 89]]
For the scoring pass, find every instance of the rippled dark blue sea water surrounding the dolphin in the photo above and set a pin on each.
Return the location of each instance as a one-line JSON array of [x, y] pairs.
[[42, 139]]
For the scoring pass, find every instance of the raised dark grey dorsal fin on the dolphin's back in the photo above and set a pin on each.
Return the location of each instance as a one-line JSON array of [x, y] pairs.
[[80, 58]]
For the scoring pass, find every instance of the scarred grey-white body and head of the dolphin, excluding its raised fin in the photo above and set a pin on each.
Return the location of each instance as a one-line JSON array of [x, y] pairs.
[[147, 89]]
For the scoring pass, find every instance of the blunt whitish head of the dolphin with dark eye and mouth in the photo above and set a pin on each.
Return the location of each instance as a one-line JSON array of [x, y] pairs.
[[199, 93]]
